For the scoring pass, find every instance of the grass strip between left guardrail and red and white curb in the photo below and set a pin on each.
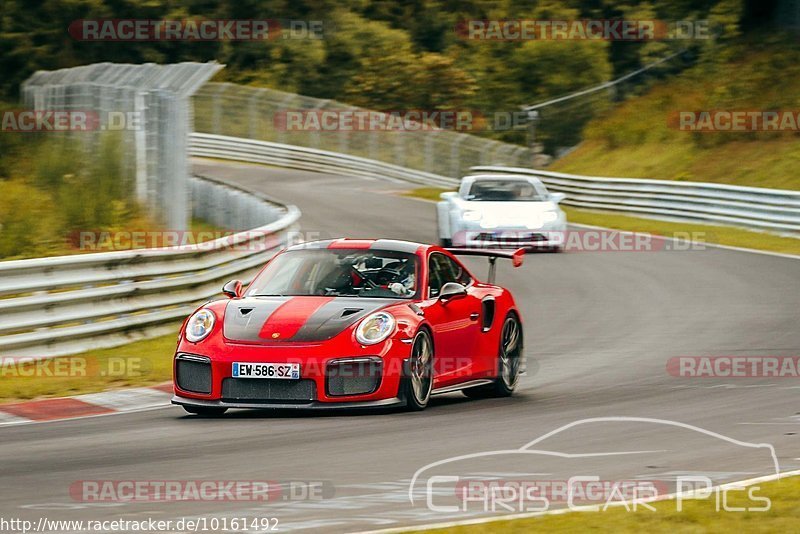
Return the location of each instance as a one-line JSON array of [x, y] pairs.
[[140, 363]]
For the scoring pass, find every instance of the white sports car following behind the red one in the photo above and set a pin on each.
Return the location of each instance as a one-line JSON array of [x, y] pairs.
[[497, 211]]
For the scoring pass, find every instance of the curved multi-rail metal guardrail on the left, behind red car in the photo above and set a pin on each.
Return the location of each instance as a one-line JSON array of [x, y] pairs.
[[67, 304]]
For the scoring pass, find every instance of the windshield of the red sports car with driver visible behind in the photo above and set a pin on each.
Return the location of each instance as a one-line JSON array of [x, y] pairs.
[[339, 272]]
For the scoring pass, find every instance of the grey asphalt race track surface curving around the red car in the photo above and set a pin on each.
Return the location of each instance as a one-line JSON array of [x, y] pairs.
[[600, 328]]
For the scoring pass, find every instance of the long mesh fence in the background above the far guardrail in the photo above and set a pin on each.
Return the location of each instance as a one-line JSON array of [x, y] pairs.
[[261, 114]]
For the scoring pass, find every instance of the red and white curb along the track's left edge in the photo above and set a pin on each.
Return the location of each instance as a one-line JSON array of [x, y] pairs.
[[92, 404]]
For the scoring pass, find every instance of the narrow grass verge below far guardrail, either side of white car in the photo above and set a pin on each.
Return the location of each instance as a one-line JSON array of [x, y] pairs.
[[722, 235]]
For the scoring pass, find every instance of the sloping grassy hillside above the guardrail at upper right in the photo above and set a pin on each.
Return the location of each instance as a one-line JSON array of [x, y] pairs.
[[637, 139]]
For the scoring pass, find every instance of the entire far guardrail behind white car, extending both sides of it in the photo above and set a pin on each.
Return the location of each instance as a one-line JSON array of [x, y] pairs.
[[751, 207]]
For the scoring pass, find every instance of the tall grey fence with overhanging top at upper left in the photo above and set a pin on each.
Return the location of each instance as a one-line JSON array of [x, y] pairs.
[[149, 107]]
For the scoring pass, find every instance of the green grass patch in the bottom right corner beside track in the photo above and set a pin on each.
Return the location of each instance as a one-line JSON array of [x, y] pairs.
[[697, 516]]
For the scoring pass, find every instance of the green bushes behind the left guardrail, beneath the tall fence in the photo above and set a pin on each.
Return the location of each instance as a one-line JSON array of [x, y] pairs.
[[62, 191]]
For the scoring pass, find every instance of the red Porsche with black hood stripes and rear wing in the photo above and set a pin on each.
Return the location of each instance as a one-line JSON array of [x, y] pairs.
[[350, 323]]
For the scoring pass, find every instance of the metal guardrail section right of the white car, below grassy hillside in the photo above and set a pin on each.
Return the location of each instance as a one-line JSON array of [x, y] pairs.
[[757, 208]]
